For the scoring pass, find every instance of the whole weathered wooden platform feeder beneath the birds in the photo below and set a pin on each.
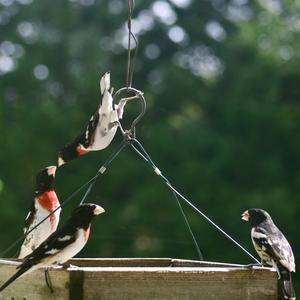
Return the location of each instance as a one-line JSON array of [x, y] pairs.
[[145, 279]]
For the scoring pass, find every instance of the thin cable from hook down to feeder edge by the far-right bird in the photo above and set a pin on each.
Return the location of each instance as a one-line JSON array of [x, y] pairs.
[[147, 158]]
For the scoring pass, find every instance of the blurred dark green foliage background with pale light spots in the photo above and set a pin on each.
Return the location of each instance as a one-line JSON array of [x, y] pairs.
[[222, 83]]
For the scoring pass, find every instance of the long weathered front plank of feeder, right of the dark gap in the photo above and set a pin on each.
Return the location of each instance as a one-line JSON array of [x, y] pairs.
[[179, 283]]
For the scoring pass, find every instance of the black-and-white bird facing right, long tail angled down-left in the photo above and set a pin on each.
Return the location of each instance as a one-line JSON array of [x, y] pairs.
[[61, 245]]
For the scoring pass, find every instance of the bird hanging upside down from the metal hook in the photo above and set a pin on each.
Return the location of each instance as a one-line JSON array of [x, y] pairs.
[[100, 129]]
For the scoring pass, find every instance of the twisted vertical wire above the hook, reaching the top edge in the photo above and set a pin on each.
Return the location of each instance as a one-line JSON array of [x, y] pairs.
[[130, 60]]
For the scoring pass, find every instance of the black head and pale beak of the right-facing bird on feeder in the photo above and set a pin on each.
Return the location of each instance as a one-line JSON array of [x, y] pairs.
[[83, 214]]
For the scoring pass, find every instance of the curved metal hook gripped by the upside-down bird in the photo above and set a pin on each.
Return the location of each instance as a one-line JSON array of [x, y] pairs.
[[129, 134]]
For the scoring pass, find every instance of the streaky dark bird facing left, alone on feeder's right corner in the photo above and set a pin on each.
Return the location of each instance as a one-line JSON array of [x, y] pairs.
[[272, 247]]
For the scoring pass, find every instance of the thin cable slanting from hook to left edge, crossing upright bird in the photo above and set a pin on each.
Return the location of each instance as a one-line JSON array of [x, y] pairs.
[[89, 183]]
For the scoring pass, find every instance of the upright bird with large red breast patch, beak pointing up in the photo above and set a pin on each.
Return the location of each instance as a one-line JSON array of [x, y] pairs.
[[45, 202]]
